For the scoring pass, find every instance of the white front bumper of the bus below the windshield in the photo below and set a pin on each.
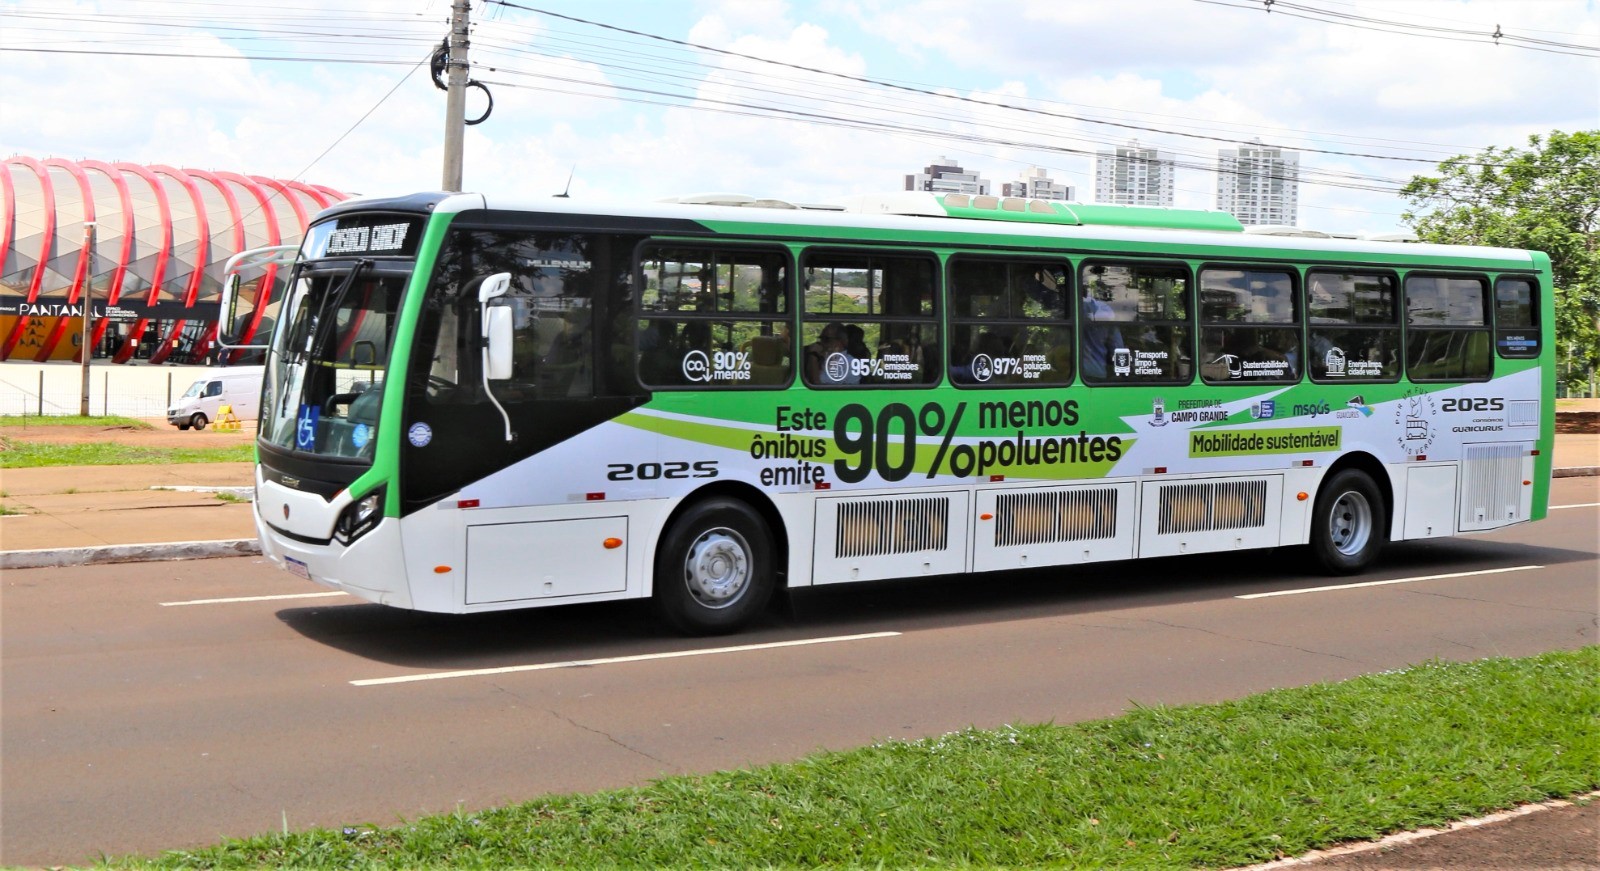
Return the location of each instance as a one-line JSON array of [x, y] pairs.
[[378, 555]]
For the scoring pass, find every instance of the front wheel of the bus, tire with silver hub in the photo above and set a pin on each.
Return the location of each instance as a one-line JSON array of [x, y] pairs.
[[714, 569]]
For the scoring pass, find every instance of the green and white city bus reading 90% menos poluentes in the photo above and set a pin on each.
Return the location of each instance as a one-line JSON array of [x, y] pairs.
[[476, 406]]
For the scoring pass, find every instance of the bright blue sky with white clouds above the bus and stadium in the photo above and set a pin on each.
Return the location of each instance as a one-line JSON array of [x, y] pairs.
[[804, 100]]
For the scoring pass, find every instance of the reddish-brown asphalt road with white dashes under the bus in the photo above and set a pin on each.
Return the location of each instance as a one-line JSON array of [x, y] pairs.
[[143, 713]]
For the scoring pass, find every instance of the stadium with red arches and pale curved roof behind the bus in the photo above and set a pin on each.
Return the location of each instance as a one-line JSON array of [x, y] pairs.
[[162, 238]]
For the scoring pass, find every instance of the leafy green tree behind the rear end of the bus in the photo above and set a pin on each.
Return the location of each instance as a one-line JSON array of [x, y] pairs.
[[1548, 199]]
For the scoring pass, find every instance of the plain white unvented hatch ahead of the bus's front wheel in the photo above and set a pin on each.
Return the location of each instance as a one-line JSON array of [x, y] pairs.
[[546, 560]]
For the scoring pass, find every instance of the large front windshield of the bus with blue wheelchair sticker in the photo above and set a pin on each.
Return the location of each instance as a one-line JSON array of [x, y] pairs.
[[327, 371]]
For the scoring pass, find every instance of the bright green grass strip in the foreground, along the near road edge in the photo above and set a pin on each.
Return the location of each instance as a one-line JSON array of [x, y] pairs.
[[1191, 787]]
